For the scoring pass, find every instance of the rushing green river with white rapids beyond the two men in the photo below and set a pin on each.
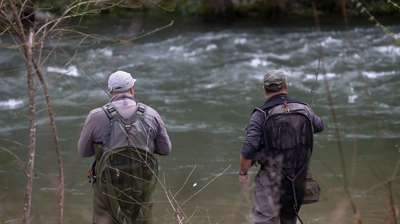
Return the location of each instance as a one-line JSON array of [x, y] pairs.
[[204, 80]]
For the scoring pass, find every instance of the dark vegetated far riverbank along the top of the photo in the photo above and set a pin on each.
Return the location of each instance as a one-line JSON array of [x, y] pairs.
[[226, 10]]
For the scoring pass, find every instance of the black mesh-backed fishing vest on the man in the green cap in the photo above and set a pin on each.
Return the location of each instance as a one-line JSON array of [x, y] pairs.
[[287, 133]]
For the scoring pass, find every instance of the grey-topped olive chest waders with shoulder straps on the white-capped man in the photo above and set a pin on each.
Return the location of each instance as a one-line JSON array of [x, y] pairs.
[[127, 170]]
